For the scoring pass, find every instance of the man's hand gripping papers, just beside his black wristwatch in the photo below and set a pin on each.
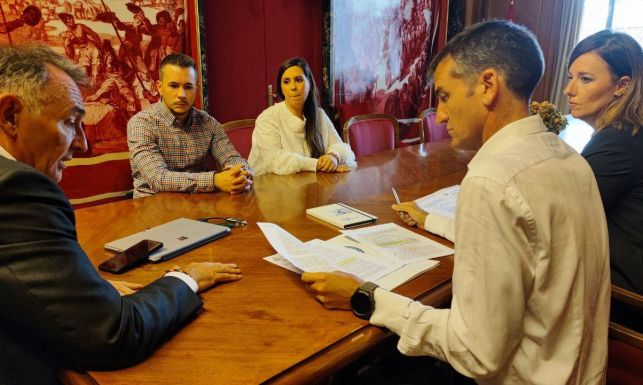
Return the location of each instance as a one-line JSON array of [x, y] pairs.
[[333, 290]]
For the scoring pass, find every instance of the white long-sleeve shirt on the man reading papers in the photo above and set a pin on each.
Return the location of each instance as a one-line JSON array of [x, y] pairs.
[[531, 282]]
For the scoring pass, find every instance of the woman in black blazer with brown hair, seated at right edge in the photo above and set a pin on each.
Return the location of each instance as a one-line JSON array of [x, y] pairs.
[[605, 90]]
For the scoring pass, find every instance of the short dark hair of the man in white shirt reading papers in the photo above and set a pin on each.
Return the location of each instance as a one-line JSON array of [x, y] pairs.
[[508, 48]]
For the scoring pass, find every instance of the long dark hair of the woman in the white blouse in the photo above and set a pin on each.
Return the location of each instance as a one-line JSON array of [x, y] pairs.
[[311, 106]]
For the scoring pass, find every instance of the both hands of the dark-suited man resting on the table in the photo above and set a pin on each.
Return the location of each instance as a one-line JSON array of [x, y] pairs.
[[205, 274]]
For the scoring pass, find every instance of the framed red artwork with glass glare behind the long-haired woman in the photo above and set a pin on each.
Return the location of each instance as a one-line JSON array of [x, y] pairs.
[[377, 54]]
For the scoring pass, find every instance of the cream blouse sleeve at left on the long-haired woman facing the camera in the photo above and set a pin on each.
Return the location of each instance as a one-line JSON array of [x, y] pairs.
[[269, 156]]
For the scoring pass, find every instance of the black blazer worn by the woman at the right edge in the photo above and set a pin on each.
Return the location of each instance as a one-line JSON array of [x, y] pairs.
[[617, 160]]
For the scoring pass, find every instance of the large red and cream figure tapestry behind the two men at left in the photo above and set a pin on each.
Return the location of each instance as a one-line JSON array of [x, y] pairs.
[[120, 44]]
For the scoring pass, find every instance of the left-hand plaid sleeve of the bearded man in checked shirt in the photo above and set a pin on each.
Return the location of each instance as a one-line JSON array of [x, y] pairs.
[[142, 139]]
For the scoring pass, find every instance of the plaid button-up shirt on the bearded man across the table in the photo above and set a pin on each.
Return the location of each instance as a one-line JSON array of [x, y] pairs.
[[168, 156]]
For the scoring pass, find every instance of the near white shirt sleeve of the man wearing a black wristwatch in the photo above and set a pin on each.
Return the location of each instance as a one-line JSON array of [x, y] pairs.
[[490, 280]]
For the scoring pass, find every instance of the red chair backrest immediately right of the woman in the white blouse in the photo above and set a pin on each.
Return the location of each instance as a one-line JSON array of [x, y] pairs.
[[371, 133]]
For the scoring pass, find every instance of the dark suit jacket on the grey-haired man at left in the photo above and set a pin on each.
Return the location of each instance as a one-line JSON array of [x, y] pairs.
[[55, 310]]
